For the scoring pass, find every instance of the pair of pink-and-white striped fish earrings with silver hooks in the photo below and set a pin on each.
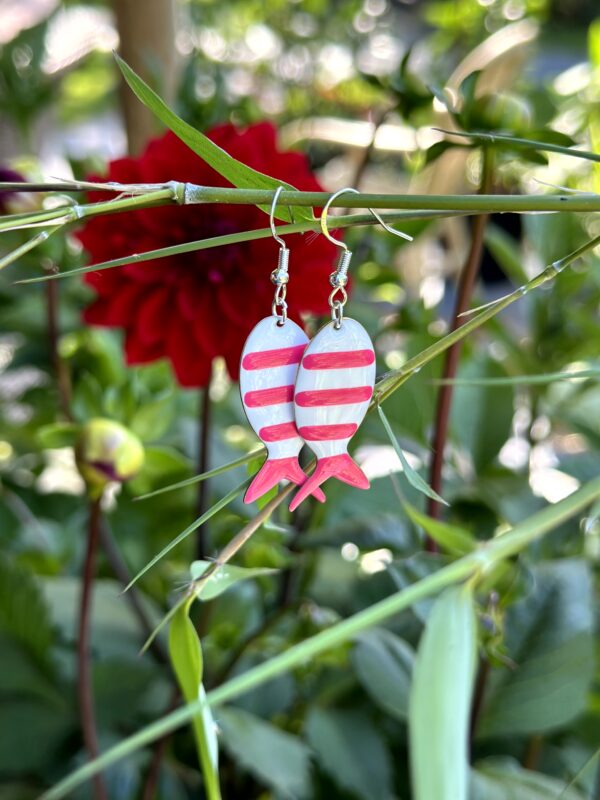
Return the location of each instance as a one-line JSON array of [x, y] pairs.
[[318, 392]]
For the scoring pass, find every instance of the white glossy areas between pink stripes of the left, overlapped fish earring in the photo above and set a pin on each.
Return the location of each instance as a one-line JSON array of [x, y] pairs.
[[267, 335]]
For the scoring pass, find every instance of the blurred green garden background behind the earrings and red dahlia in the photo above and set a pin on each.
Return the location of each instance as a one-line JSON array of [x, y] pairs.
[[359, 87]]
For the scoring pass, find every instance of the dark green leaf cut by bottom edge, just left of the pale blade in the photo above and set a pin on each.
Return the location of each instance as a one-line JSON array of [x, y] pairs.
[[352, 751]]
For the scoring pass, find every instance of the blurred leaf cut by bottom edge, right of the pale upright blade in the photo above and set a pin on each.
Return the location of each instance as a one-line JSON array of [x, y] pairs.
[[505, 779]]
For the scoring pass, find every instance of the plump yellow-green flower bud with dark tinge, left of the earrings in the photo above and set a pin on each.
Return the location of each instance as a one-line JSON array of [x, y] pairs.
[[106, 451]]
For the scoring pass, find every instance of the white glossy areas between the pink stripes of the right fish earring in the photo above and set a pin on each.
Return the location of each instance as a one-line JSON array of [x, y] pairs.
[[351, 336]]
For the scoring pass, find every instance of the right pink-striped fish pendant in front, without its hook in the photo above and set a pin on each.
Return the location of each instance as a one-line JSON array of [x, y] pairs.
[[334, 386]]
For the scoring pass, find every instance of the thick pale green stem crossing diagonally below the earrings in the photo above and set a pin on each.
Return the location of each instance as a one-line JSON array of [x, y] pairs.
[[478, 562]]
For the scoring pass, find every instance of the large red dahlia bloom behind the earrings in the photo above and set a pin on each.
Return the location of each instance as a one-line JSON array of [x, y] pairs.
[[190, 308]]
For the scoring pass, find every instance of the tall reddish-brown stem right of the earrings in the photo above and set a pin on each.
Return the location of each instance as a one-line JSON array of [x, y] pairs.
[[464, 293]]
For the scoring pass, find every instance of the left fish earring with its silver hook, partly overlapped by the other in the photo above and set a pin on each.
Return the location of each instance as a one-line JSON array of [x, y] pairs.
[[269, 365]]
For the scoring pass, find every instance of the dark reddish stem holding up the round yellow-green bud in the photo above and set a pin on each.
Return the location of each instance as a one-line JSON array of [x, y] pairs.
[[84, 670]]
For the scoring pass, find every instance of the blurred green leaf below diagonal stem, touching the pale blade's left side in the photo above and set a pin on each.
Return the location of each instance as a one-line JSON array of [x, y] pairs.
[[383, 664]]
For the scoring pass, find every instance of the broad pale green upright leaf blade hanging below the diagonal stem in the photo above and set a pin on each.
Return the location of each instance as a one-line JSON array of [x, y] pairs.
[[440, 699]]
